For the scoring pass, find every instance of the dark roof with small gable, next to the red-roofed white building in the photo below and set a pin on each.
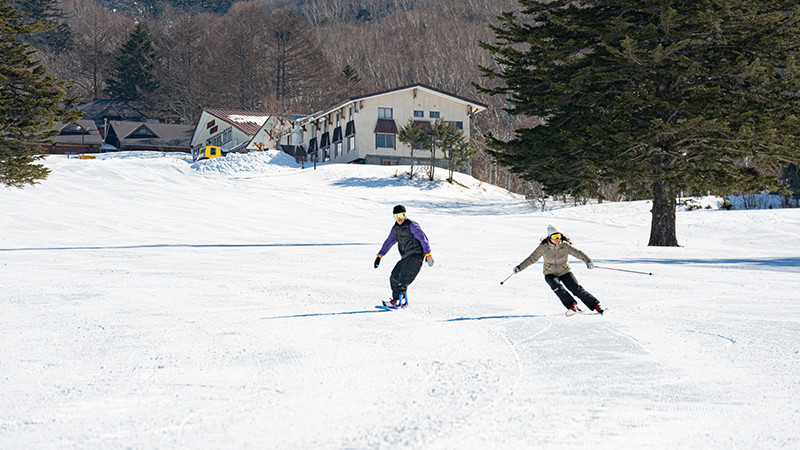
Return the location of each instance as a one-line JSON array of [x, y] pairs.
[[152, 135]]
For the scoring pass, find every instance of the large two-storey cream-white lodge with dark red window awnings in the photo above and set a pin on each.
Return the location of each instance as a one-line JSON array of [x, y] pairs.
[[364, 129]]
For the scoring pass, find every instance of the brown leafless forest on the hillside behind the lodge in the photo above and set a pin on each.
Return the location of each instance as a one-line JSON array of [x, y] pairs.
[[286, 56]]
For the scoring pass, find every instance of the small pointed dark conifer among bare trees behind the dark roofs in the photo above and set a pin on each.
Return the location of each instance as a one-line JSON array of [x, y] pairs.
[[133, 75]]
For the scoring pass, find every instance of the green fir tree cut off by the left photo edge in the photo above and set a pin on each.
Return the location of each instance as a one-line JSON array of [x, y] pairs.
[[30, 101]]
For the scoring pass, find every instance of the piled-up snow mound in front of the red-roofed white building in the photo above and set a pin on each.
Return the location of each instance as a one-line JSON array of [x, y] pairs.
[[268, 162]]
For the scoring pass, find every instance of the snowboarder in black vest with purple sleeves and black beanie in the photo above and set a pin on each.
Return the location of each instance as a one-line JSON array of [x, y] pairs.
[[414, 248]]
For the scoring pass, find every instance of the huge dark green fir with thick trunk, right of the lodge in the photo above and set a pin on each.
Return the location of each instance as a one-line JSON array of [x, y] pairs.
[[665, 94]]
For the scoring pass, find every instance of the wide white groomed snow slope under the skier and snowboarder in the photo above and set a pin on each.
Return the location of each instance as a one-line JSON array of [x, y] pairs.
[[147, 301]]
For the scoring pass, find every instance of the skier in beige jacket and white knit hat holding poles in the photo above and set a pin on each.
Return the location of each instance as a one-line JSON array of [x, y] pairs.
[[555, 249]]
